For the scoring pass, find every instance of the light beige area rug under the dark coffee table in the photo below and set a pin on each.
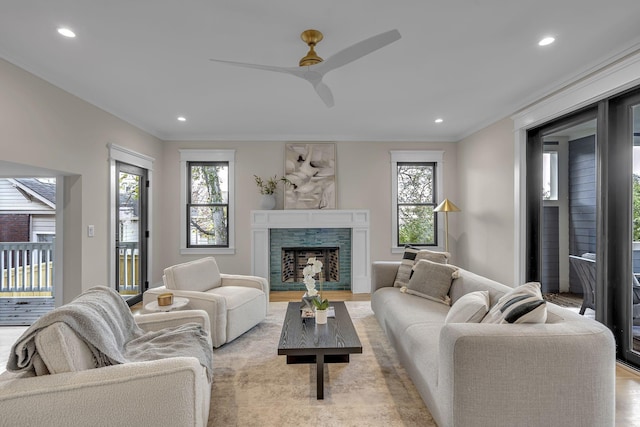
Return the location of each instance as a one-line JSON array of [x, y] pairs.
[[253, 386]]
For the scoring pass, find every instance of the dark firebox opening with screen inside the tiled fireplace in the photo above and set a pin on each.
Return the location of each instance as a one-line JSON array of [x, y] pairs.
[[294, 260]]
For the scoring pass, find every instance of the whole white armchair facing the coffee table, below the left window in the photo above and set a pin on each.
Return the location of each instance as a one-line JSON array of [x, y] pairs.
[[235, 303]]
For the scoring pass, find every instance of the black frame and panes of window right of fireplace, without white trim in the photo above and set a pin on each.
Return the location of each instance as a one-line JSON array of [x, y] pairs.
[[416, 200]]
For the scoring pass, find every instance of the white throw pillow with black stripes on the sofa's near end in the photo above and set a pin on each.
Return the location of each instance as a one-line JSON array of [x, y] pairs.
[[523, 304]]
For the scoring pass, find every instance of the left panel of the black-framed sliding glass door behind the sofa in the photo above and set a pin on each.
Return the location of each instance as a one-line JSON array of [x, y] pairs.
[[561, 209]]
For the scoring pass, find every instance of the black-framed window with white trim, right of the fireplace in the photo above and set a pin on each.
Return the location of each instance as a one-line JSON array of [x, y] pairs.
[[416, 190]]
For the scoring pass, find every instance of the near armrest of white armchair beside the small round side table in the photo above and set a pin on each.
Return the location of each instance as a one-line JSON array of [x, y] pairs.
[[214, 305]]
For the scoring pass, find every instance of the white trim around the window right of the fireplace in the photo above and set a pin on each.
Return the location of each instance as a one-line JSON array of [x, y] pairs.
[[400, 156]]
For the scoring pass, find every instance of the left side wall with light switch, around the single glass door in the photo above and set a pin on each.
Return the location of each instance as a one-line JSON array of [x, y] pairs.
[[44, 127]]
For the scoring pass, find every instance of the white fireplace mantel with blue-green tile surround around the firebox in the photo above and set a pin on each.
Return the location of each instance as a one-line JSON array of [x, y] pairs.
[[353, 259]]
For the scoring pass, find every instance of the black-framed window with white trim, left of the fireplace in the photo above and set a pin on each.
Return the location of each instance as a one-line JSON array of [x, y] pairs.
[[207, 218]]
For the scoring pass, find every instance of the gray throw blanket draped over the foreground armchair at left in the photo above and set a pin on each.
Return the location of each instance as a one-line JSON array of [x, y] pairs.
[[102, 319]]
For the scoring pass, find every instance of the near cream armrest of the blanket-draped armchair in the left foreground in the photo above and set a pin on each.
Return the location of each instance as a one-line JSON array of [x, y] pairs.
[[172, 391]]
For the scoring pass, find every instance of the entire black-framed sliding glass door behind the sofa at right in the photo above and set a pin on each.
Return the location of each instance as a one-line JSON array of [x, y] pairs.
[[600, 202]]
